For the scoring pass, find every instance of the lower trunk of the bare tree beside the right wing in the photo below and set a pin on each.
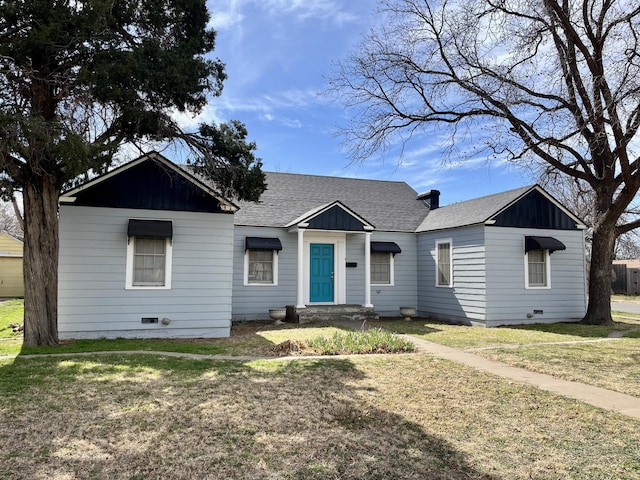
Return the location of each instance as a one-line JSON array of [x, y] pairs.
[[600, 277]]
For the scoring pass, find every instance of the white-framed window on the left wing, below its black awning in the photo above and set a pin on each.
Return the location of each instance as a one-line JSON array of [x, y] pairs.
[[149, 263]]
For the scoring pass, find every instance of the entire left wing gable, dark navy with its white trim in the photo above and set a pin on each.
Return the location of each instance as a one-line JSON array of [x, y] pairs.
[[150, 182]]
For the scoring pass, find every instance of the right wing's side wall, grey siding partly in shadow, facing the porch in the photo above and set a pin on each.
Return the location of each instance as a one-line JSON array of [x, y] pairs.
[[466, 300]]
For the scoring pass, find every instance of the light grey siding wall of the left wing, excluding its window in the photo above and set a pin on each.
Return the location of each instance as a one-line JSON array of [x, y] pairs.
[[93, 301]]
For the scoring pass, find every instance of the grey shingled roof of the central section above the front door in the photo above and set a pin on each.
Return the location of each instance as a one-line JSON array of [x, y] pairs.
[[389, 206]]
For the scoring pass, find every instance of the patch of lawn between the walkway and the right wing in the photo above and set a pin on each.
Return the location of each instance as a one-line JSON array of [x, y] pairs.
[[614, 364]]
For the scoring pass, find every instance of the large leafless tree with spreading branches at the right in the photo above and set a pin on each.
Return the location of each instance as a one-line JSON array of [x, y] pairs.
[[549, 81]]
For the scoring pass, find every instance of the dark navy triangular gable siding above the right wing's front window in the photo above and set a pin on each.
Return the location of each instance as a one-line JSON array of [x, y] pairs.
[[535, 210]]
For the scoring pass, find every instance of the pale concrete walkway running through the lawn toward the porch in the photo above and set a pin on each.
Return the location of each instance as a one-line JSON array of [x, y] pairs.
[[596, 396]]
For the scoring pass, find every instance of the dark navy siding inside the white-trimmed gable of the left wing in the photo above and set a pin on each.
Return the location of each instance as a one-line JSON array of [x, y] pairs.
[[148, 185]]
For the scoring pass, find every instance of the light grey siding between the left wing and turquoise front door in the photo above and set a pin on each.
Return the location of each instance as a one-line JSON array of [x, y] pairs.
[[252, 302]]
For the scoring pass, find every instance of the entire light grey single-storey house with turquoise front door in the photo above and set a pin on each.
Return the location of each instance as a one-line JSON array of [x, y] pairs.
[[151, 250]]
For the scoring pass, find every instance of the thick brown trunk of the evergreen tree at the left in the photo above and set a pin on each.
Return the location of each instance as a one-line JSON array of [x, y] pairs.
[[40, 196]]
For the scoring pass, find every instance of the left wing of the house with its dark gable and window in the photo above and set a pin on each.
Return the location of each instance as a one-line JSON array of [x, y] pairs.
[[145, 251]]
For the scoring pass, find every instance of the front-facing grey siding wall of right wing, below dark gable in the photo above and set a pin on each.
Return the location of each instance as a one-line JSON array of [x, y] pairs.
[[509, 302]]
